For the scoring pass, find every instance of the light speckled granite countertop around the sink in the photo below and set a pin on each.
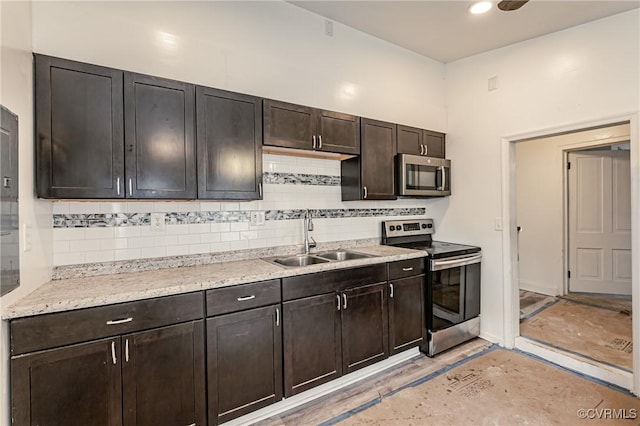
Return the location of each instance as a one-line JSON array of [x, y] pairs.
[[76, 293]]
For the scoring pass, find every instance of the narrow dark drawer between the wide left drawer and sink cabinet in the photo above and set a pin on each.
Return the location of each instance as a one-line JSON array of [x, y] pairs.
[[241, 297]]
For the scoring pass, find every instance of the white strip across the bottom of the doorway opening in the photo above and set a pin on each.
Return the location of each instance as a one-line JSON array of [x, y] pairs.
[[606, 373]]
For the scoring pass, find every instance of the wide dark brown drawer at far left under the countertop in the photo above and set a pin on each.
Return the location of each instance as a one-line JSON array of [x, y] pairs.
[[64, 328]]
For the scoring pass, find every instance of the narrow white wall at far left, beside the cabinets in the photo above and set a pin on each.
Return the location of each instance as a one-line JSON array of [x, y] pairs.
[[16, 94]]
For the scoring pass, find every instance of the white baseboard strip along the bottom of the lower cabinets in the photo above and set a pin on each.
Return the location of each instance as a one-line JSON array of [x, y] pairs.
[[311, 394]]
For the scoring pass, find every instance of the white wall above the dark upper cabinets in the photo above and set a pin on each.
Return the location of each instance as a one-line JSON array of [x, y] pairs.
[[270, 49]]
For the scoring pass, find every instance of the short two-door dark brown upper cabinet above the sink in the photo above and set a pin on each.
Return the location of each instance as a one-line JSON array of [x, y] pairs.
[[294, 126]]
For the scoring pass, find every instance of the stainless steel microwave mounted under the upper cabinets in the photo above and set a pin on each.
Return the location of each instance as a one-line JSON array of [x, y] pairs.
[[420, 176]]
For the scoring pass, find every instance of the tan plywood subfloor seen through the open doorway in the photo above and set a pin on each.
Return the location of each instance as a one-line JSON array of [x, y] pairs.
[[600, 334]]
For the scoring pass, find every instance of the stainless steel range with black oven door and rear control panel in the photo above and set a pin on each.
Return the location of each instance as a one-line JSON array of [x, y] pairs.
[[452, 286]]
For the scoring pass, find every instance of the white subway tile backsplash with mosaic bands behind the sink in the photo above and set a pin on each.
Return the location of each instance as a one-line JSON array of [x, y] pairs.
[[94, 231]]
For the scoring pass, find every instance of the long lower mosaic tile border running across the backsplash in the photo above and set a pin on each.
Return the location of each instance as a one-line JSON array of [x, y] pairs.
[[103, 220]]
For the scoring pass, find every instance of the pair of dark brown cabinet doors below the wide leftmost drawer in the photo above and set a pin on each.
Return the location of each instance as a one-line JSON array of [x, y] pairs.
[[144, 379]]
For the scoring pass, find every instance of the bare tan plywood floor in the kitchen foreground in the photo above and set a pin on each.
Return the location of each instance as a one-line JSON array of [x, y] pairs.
[[499, 387]]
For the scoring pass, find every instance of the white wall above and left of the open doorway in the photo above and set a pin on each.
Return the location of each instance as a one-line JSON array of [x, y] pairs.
[[582, 74]]
